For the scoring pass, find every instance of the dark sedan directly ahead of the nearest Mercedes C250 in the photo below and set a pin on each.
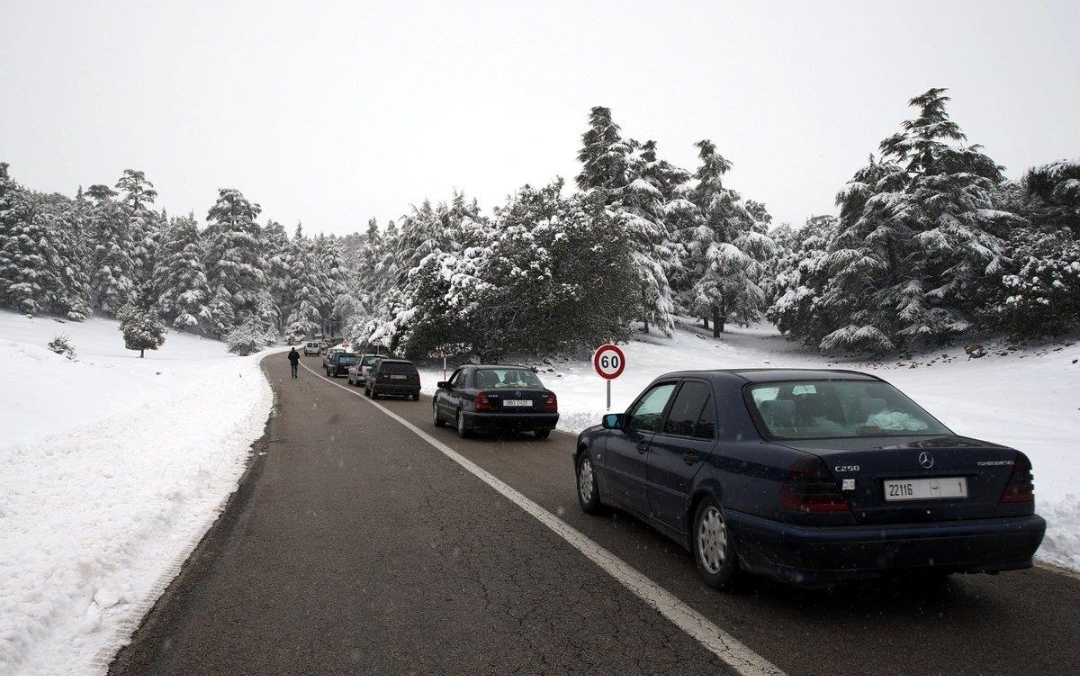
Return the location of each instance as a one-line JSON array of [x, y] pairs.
[[495, 398]]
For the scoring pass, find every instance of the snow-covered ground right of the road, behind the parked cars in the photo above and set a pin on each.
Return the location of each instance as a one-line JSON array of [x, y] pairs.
[[1028, 399]]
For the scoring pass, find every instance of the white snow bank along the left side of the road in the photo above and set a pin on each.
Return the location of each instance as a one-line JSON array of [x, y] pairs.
[[112, 468]]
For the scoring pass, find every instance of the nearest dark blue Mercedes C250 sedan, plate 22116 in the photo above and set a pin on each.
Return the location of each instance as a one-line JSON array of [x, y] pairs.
[[809, 477]]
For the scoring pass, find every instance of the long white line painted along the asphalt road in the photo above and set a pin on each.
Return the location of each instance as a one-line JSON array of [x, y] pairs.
[[717, 641]]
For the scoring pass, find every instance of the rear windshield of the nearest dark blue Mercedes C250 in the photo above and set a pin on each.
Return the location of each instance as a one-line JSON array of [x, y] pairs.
[[839, 410]]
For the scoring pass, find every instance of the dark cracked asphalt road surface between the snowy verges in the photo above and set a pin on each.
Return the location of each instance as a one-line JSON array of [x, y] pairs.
[[356, 547]]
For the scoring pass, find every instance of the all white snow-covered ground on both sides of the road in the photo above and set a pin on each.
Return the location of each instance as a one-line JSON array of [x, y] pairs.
[[113, 468]]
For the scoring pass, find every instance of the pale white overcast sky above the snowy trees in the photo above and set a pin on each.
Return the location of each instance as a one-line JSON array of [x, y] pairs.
[[334, 113]]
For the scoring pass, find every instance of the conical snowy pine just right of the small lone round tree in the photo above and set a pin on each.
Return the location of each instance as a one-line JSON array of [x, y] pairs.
[[185, 293]]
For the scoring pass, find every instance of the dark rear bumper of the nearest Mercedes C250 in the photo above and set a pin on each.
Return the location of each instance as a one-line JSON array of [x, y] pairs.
[[808, 556]]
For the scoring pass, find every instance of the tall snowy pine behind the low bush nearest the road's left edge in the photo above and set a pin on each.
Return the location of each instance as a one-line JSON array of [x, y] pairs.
[[235, 261]]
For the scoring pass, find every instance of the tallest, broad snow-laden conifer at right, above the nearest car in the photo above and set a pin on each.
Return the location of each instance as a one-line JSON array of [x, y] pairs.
[[921, 234]]
